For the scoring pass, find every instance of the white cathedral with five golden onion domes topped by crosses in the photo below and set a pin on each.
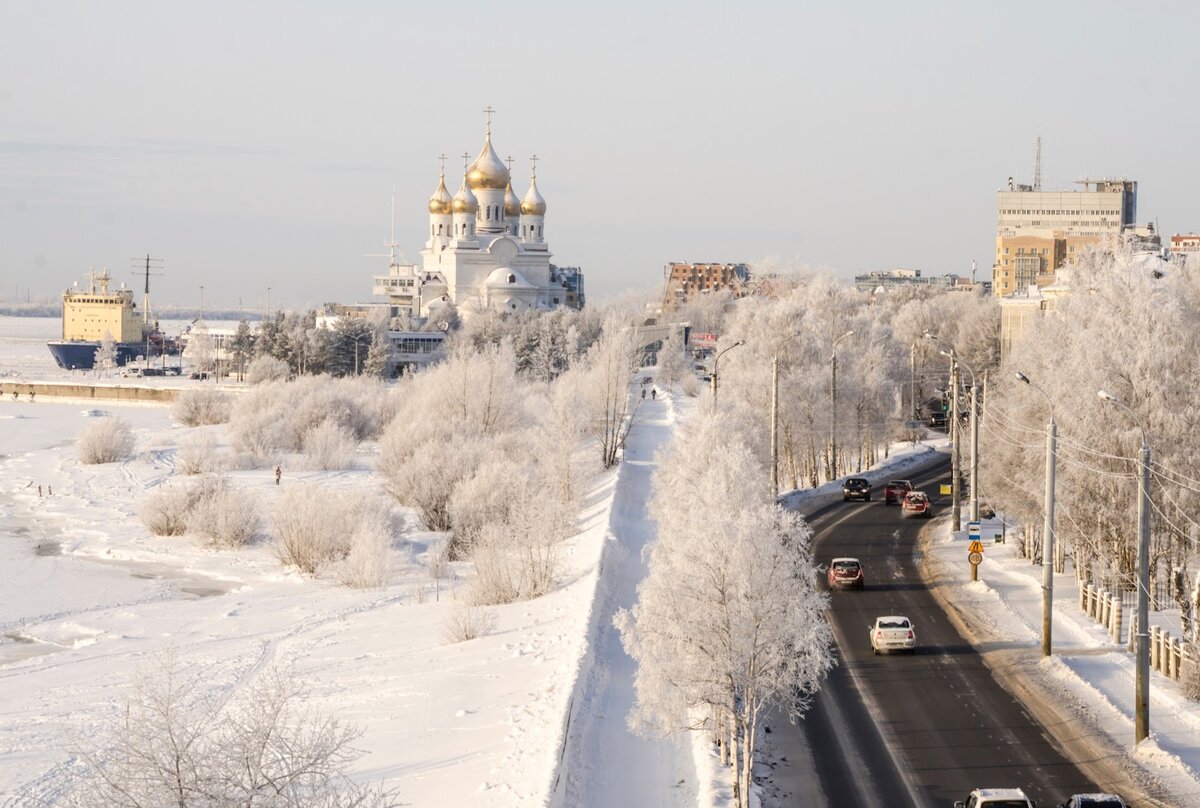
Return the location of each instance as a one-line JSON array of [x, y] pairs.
[[487, 250]]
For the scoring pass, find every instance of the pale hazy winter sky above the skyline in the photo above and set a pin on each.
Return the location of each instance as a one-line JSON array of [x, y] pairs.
[[255, 145]]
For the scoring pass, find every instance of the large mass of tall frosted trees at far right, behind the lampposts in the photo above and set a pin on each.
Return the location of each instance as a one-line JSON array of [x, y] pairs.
[[1109, 333]]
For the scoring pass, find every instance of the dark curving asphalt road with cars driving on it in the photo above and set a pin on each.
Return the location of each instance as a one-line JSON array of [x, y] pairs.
[[920, 729]]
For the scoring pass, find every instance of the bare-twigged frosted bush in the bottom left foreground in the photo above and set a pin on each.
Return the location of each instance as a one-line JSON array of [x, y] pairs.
[[176, 741]]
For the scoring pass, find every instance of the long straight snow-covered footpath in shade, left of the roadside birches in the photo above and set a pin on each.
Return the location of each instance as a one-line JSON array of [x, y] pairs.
[[604, 763]]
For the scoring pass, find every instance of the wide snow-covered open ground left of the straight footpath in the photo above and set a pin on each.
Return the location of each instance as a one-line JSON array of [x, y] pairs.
[[88, 597]]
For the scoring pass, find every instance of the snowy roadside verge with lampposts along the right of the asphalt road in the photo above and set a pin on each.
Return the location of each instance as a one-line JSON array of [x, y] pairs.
[[1088, 674]]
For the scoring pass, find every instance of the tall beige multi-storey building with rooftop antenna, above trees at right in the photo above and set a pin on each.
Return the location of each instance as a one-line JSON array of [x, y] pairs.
[[1039, 231]]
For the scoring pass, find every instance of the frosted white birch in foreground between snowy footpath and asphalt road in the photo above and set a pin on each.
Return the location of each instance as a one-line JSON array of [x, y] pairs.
[[729, 621]]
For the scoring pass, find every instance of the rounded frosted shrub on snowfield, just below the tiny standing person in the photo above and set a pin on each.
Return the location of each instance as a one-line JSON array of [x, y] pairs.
[[316, 529]]
